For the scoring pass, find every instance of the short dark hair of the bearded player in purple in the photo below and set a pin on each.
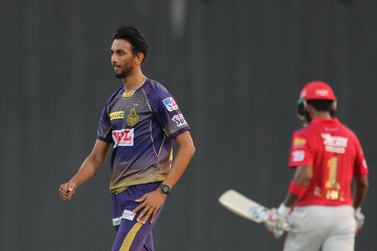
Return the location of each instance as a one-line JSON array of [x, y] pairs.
[[134, 37]]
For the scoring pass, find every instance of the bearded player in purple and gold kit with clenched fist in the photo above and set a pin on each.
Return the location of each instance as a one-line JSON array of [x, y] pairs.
[[139, 122]]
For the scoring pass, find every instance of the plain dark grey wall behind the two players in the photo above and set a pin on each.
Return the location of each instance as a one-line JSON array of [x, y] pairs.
[[236, 69]]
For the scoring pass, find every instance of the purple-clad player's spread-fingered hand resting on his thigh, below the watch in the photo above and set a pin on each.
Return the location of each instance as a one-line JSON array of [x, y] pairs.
[[150, 203]]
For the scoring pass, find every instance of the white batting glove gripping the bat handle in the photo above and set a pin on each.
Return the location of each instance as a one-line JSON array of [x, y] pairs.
[[276, 222]]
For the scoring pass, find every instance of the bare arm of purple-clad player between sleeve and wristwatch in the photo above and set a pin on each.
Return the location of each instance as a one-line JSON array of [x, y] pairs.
[[184, 154]]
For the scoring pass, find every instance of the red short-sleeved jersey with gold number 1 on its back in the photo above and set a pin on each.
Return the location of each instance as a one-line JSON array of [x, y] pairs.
[[335, 154]]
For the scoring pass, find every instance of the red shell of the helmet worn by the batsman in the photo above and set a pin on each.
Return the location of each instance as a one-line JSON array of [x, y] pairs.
[[317, 90]]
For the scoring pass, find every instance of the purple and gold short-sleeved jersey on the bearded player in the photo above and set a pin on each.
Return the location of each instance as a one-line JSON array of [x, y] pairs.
[[141, 129]]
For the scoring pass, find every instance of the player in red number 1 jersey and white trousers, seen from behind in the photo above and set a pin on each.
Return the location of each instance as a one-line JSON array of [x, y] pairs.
[[327, 157]]
